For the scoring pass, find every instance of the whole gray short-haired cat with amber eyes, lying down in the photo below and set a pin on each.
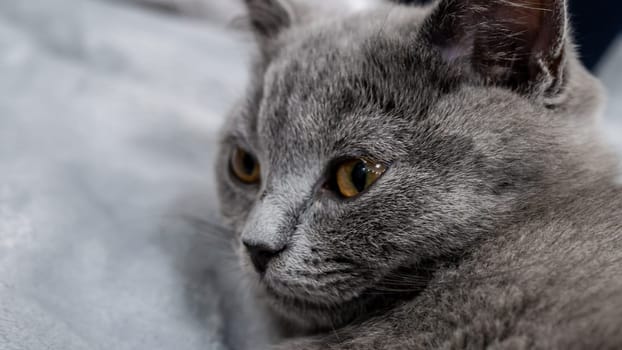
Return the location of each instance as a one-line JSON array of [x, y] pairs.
[[425, 177]]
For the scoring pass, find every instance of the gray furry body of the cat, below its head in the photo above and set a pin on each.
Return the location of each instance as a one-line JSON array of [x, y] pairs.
[[550, 282]]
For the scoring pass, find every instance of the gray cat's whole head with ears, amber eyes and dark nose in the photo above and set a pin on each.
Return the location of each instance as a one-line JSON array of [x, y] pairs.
[[371, 143]]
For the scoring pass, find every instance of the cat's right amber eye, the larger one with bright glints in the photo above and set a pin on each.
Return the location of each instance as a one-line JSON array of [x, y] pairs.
[[356, 175]]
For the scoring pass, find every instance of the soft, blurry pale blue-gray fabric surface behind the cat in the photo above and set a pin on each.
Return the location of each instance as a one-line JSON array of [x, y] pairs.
[[108, 117]]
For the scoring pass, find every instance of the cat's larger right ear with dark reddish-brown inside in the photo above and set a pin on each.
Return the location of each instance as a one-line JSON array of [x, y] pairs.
[[516, 43]]
